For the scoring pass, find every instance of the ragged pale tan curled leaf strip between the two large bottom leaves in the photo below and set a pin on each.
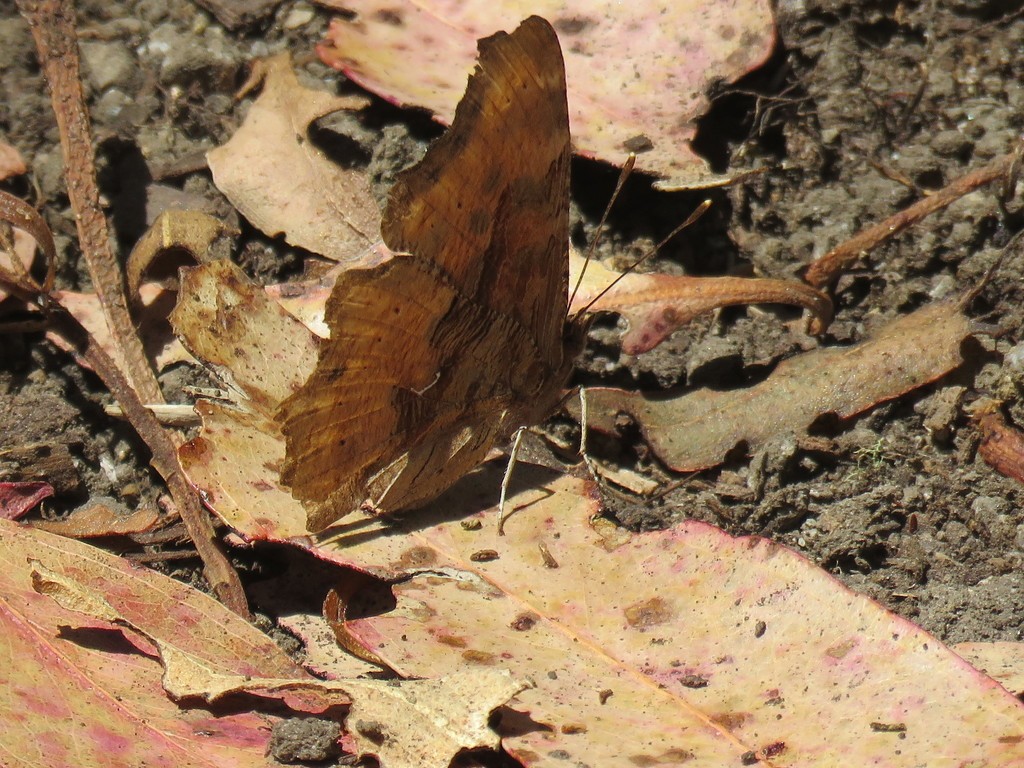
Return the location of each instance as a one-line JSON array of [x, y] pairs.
[[406, 724]]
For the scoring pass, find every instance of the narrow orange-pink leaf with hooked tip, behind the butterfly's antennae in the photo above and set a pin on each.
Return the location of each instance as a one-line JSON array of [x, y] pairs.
[[655, 306]]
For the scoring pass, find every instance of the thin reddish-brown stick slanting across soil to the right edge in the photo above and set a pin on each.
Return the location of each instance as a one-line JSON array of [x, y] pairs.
[[826, 270]]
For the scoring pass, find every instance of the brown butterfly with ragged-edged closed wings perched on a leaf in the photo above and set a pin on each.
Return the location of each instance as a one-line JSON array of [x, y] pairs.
[[463, 337]]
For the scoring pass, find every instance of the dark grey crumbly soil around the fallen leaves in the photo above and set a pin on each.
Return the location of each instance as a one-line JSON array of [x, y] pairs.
[[864, 109]]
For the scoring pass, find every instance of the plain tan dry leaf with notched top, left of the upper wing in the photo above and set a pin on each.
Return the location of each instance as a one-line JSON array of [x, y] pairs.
[[277, 177]]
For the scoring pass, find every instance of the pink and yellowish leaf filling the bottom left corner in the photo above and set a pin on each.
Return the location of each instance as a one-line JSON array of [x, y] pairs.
[[79, 693]]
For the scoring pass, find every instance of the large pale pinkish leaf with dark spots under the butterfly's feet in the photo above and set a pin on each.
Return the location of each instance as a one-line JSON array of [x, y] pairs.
[[679, 648]]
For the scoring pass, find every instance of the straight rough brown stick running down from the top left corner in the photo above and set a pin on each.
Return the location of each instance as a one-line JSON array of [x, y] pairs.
[[53, 24]]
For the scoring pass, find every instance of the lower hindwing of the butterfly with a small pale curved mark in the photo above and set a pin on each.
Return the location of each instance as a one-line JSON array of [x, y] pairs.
[[407, 397]]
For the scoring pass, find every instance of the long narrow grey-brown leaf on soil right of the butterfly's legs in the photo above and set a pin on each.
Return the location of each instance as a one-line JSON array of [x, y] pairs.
[[698, 430]]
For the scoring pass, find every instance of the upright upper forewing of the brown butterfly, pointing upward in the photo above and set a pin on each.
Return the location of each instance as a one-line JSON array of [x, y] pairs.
[[505, 164]]
